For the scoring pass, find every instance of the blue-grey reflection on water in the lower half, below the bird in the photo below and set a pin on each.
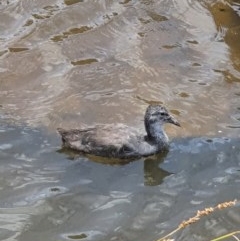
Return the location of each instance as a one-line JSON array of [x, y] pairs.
[[85, 196]]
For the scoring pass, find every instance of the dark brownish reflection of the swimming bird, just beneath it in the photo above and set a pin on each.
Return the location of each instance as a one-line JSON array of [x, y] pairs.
[[153, 174]]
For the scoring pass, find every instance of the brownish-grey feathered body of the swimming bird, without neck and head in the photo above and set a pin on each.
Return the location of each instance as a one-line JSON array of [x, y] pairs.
[[116, 140]]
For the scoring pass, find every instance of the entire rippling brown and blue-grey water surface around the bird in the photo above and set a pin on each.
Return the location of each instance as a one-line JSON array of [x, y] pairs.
[[73, 63]]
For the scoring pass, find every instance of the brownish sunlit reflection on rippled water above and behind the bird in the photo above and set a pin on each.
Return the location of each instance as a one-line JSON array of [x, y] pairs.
[[109, 55]]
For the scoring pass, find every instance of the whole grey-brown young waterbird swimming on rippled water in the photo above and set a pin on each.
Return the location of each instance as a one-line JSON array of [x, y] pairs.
[[122, 141]]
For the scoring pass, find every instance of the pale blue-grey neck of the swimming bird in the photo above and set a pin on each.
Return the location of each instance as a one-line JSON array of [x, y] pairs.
[[156, 133]]
